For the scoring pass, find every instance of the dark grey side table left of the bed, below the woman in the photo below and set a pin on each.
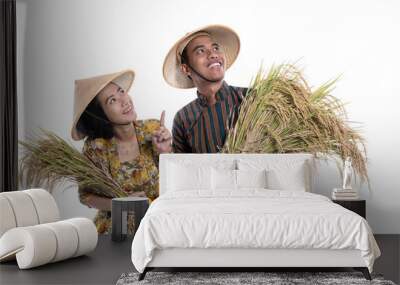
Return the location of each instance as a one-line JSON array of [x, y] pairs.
[[119, 214]]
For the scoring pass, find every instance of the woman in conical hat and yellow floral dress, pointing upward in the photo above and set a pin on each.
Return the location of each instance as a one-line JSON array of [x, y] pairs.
[[128, 148]]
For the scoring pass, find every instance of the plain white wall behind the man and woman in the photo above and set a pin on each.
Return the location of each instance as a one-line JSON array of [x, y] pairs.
[[66, 40]]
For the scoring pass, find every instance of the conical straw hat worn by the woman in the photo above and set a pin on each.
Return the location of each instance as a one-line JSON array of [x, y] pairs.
[[86, 89]]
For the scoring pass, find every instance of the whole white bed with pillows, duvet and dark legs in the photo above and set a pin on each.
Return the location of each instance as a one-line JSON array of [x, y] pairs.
[[246, 211]]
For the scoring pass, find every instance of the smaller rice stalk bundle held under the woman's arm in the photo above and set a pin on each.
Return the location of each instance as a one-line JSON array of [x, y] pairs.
[[49, 160]]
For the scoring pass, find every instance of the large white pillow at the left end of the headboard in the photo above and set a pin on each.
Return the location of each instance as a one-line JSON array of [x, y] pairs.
[[182, 177]]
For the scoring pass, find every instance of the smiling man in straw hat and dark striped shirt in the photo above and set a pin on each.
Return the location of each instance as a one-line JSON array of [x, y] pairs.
[[200, 59]]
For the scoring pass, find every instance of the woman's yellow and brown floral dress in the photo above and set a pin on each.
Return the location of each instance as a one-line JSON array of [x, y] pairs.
[[138, 175]]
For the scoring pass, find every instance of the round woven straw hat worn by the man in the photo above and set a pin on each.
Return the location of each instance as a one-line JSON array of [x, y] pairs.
[[225, 36]]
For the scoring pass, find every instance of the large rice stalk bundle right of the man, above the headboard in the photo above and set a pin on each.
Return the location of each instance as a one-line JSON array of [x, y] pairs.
[[281, 114]]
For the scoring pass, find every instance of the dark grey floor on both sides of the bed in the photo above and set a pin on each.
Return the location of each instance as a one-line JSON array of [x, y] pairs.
[[110, 260]]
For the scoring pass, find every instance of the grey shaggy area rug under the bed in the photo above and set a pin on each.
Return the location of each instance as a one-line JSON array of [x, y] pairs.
[[269, 278]]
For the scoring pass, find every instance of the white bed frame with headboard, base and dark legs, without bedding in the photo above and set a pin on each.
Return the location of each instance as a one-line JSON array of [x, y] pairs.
[[247, 259]]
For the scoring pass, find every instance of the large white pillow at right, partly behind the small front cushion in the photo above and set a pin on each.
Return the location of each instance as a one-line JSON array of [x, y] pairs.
[[294, 175]]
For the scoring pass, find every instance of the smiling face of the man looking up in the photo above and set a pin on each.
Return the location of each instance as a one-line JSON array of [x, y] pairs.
[[206, 57]]
